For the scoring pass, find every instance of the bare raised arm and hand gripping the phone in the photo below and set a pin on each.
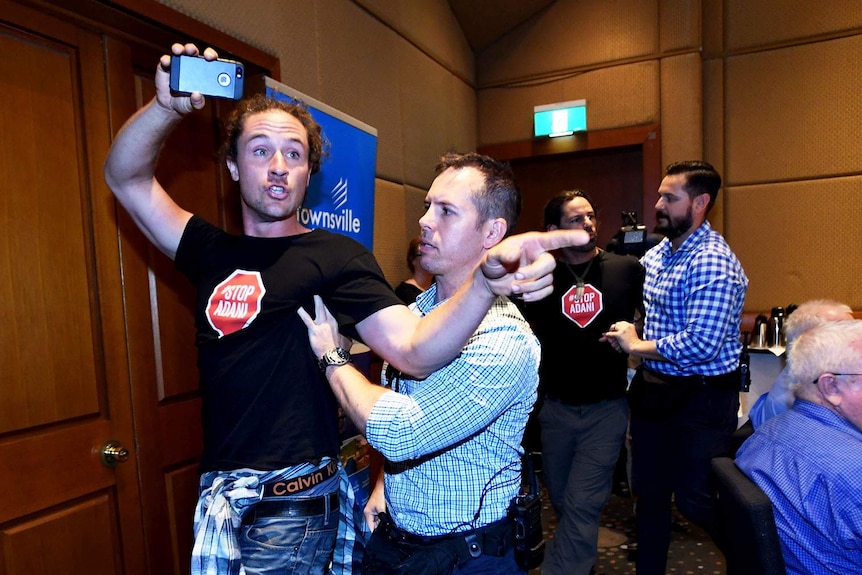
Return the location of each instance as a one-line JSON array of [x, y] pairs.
[[131, 162]]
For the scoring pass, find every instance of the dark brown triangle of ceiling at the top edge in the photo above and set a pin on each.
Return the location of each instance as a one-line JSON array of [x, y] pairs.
[[483, 21]]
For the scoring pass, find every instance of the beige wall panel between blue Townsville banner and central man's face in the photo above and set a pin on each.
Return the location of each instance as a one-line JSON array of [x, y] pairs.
[[390, 229]]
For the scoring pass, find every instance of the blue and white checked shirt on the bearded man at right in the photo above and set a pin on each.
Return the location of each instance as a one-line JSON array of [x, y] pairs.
[[693, 299]]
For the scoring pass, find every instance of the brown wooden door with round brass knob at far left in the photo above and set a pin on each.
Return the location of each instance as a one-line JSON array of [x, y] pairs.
[[63, 351]]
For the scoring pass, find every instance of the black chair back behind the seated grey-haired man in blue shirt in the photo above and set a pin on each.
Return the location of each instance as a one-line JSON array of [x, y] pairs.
[[752, 544]]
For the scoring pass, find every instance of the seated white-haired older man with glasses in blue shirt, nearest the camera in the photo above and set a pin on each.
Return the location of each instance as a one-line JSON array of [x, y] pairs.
[[808, 460]]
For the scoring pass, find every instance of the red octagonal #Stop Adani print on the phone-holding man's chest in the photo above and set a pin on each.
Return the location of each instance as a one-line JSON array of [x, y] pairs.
[[235, 302]]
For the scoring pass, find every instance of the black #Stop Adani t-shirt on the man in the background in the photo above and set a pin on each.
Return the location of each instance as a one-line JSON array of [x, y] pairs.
[[576, 367]]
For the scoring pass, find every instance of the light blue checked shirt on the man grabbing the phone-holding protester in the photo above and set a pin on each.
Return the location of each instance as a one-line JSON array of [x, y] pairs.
[[453, 441]]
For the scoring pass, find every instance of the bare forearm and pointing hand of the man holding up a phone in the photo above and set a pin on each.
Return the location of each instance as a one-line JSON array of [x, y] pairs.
[[520, 266]]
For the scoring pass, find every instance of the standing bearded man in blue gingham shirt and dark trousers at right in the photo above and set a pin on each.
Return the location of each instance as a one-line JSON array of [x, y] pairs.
[[685, 397]]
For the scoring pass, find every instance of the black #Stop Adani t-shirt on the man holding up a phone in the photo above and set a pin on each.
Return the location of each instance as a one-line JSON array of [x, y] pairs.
[[265, 403]]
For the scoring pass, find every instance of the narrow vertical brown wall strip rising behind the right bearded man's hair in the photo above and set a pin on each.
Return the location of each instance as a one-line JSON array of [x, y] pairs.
[[713, 130]]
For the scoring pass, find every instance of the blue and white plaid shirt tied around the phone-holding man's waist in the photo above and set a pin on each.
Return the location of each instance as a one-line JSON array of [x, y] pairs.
[[226, 497]]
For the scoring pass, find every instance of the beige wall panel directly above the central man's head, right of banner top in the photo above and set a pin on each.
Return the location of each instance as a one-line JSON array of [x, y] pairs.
[[426, 106]]
